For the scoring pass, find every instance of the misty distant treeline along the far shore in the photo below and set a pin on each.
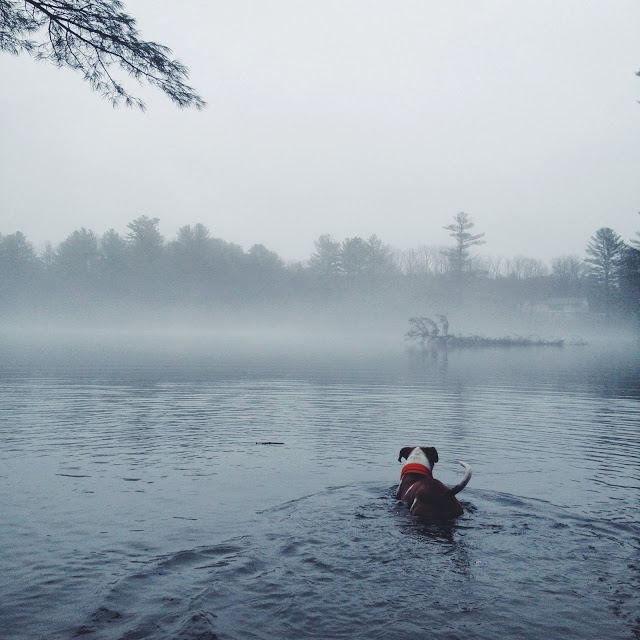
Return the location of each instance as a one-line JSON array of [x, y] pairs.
[[195, 270]]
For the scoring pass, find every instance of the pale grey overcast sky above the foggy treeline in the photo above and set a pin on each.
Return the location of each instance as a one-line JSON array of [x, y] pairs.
[[347, 117]]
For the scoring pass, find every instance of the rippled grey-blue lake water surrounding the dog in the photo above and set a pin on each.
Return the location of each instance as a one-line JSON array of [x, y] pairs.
[[136, 503]]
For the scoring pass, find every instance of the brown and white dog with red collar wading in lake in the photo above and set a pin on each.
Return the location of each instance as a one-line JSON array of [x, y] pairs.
[[427, 497]]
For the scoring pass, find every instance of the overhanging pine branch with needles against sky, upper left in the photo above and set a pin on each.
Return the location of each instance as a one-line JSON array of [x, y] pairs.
[[94, 37]]
